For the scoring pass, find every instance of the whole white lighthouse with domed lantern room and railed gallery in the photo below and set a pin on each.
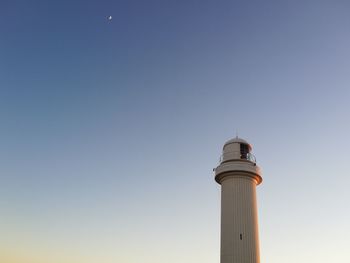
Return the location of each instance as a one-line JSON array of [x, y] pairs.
[[238, 176]]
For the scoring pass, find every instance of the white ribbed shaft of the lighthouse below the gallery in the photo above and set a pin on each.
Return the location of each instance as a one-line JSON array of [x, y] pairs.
[[239, 220]]
